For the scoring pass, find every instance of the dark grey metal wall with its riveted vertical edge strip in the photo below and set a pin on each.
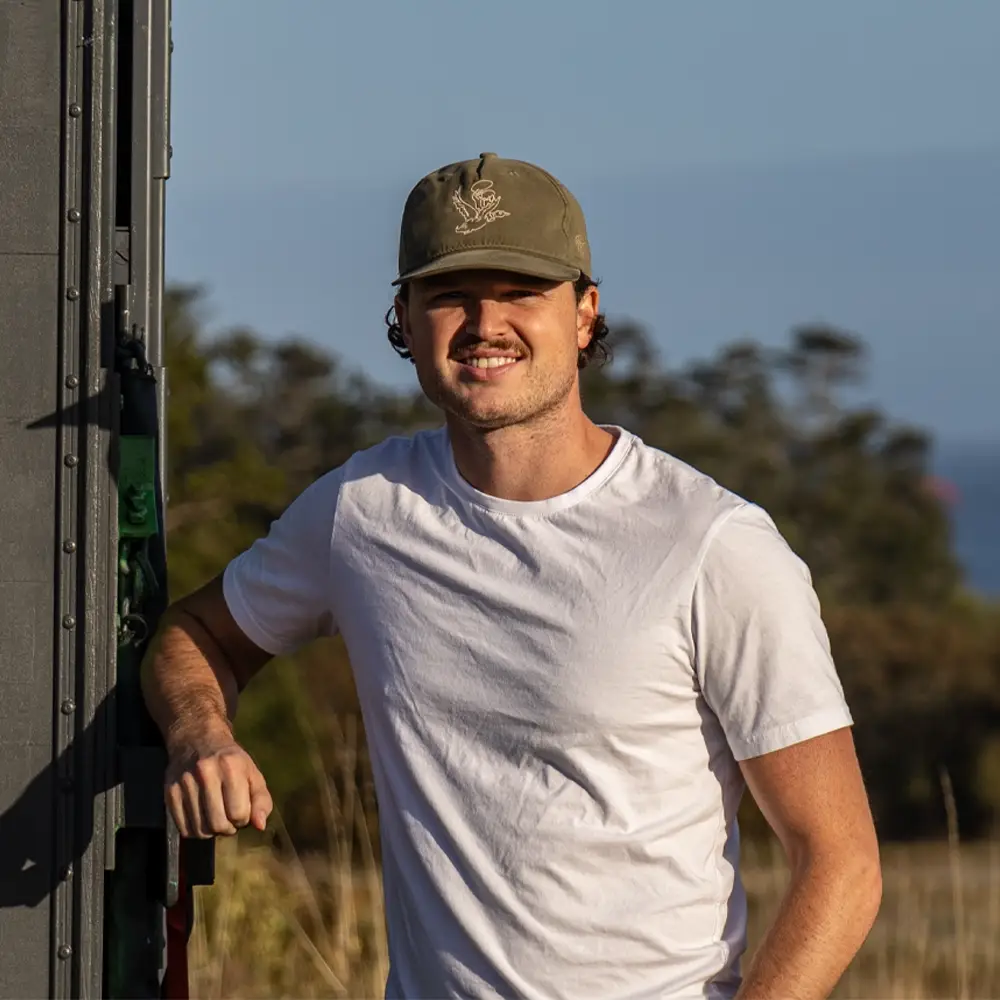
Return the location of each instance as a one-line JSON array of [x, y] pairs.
[[56, 83]]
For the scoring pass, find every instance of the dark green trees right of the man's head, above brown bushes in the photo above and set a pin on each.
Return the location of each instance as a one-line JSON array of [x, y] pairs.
[[848, 490]]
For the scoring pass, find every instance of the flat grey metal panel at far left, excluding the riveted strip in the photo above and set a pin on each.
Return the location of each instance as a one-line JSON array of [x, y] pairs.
[[32, 475]]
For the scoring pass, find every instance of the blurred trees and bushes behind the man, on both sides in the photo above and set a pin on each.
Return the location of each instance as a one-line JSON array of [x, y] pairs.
[[252, 422]]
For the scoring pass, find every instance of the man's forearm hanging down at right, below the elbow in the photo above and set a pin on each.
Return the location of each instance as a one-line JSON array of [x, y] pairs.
[[824, 918]]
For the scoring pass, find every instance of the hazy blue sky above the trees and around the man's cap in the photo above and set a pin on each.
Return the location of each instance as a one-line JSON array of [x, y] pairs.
[[744, 169]]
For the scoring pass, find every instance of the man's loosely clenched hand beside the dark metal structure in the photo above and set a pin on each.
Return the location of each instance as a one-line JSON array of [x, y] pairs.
[[213, 788]]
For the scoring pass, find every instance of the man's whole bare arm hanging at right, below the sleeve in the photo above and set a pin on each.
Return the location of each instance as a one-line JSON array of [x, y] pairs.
[[813, 796]]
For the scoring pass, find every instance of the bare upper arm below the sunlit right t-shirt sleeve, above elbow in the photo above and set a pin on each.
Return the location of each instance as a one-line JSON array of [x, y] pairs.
[[812, 794]]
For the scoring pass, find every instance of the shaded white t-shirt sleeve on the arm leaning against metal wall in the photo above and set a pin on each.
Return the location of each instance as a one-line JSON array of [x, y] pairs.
[[278, 590]]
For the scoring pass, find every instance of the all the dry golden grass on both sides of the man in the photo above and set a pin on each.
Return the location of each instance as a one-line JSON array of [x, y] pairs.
[[277, 925]]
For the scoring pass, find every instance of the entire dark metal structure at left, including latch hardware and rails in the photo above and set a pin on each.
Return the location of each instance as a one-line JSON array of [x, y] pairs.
[[88, 860]]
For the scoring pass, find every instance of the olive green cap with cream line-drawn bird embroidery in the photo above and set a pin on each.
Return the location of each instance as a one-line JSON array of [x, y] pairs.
[[493, 213]]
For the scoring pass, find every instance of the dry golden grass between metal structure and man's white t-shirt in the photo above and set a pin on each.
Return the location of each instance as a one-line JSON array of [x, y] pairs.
[[278, 925]]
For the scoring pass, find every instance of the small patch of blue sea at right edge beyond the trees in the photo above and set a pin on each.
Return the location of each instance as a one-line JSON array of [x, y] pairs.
[[974, 472]]
